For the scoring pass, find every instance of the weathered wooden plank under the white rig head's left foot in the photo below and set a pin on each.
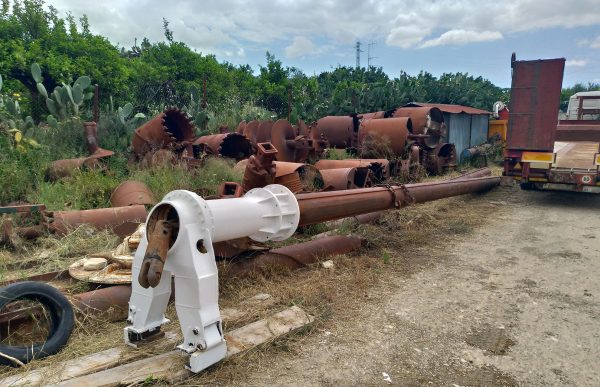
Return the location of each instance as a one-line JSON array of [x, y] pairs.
[[114, 356]]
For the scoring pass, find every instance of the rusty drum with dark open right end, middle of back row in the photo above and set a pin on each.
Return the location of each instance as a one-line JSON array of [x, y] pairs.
[[338, 130]]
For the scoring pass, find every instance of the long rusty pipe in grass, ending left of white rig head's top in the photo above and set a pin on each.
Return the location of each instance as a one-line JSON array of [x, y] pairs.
[[123, 221]]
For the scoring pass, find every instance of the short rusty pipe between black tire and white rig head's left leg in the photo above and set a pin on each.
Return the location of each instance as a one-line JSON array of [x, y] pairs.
[[110, 303]]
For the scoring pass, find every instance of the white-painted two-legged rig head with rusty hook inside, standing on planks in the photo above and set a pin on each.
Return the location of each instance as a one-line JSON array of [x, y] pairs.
[[184, 227]]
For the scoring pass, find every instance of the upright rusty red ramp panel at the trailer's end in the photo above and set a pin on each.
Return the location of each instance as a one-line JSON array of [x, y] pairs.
[[534, 104]]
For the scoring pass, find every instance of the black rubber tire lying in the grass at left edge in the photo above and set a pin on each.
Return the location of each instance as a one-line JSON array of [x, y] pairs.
[[62, 319]]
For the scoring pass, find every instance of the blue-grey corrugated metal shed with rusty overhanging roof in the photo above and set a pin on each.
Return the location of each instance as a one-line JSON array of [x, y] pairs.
[[466, 126]]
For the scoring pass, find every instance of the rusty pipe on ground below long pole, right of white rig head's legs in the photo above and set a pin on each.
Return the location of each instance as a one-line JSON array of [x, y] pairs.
[[294, 256]]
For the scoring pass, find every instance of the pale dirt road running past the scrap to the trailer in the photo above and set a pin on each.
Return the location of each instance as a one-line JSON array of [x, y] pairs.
[[516, 302]]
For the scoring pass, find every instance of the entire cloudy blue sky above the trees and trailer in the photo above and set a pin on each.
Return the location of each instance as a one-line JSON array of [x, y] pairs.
[[474, 36]]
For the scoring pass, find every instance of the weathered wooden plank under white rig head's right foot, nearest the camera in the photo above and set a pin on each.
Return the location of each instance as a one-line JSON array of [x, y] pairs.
[[170, 366]]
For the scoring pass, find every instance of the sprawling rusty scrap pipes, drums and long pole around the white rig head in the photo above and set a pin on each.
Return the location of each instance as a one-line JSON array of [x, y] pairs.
[[387, 145]]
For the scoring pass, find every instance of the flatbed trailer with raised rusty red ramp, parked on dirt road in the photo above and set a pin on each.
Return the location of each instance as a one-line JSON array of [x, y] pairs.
[[542, 153]]
